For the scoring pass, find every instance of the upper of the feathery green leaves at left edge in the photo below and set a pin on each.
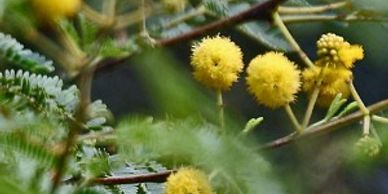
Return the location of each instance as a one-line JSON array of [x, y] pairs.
[[13, 53]]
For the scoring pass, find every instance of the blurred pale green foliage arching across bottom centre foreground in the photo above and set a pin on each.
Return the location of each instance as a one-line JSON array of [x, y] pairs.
[[188, 142]]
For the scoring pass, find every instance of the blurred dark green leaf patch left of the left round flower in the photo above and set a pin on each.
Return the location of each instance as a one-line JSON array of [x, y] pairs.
[[170, 87]]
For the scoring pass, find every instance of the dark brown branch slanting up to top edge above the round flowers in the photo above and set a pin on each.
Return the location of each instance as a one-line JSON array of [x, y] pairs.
[[258, 11]]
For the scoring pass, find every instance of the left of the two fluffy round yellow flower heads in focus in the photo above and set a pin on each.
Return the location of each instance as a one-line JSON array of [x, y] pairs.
[[217, 62]]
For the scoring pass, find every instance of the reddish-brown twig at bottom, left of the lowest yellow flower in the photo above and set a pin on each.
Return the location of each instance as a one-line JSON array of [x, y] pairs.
[[158, 177]]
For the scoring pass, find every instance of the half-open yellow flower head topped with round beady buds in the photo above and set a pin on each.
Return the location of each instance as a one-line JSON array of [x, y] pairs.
[[334, 51]]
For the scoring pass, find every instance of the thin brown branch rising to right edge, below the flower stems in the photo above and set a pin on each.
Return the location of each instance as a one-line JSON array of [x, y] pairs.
[[327, 127]]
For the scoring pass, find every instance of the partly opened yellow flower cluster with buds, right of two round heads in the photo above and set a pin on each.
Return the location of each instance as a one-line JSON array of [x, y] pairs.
[[336, 58]]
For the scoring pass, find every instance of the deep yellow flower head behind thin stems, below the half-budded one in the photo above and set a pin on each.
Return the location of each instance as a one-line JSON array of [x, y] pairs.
[[335, 81]]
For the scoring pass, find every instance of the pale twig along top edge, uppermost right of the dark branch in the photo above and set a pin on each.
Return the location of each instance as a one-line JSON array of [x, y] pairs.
[[312, 9]]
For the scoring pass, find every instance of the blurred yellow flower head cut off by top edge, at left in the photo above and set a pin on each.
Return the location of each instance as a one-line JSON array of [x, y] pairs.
[[52, 10]]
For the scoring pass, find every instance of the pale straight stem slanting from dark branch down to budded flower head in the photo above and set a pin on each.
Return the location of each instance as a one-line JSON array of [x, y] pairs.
[[286, 33]]
